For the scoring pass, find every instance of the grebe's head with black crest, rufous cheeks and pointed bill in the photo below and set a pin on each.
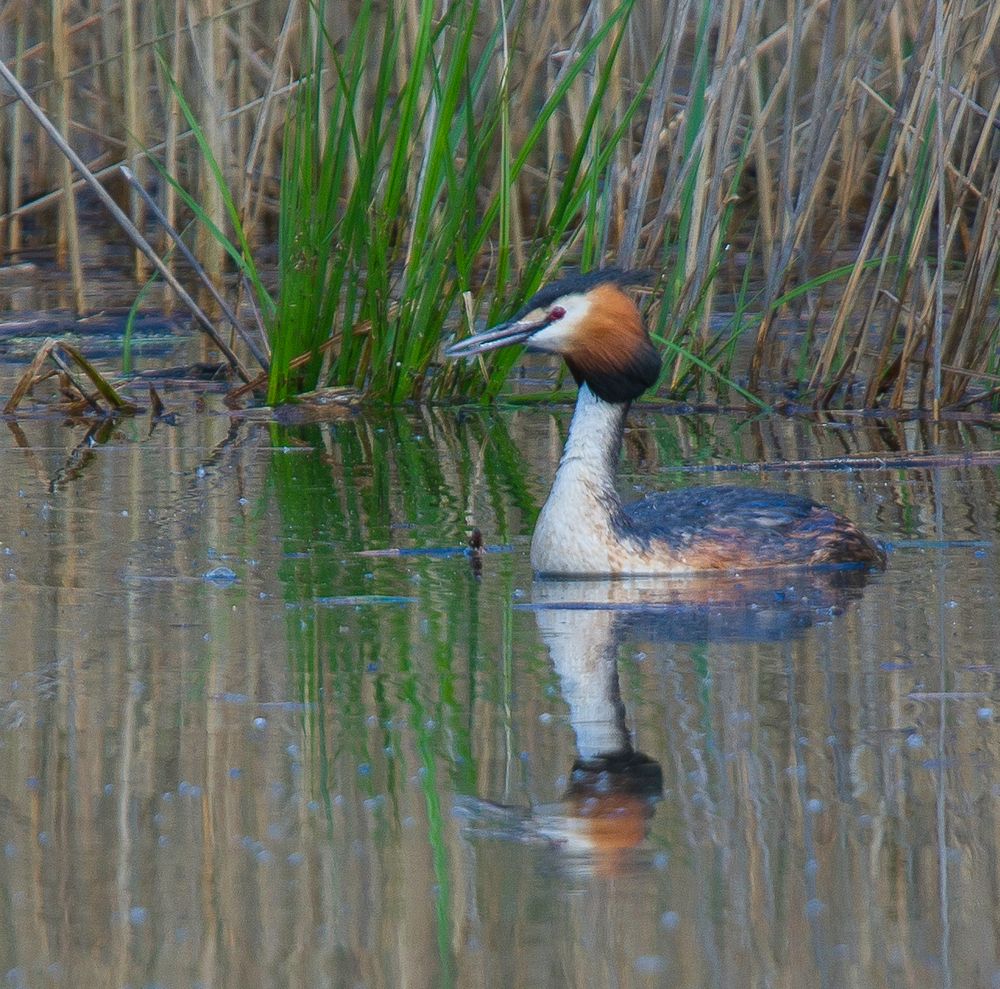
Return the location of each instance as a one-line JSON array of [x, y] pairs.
[[592, 324]]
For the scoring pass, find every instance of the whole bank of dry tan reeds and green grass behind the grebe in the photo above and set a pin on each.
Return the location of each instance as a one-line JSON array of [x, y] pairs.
[[816, 183]]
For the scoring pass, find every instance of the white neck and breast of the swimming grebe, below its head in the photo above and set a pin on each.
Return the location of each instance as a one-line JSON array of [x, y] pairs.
[[579, 526]]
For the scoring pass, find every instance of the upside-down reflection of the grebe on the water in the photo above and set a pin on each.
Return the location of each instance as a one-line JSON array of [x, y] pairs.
[[602, 821]]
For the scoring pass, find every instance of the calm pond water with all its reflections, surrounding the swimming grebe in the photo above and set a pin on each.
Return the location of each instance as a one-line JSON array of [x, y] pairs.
[[240, 749]]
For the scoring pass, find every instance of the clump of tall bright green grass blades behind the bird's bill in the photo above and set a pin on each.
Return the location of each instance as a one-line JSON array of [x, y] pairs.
[[390, 206]]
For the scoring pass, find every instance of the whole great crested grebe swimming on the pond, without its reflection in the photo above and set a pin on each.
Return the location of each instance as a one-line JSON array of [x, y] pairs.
[[584, 529]]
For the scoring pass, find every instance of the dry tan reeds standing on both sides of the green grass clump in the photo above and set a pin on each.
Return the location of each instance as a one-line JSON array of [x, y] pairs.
[[793, 139]]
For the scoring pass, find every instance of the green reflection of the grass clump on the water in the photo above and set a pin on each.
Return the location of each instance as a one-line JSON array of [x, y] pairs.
[[388, 651]]
